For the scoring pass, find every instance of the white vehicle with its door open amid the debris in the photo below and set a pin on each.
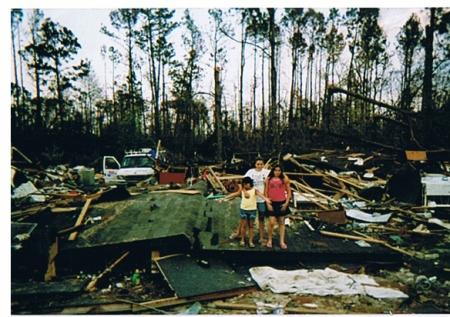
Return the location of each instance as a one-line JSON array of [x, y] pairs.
[[136, 166]]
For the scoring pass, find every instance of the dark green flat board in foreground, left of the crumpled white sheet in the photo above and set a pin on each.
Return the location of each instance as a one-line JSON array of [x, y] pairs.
[[189, 276]]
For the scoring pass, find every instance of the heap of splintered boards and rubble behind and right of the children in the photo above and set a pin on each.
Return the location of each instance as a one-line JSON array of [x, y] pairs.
[[343, 194]]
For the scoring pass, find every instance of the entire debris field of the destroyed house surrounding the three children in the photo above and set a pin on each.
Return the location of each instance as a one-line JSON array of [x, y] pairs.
[[364, 236]]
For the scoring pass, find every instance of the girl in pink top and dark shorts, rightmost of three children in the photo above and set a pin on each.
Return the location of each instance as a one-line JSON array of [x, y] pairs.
[[278, 190]]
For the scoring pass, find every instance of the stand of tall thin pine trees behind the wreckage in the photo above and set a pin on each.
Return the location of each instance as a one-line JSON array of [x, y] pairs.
[[67, 116]]
